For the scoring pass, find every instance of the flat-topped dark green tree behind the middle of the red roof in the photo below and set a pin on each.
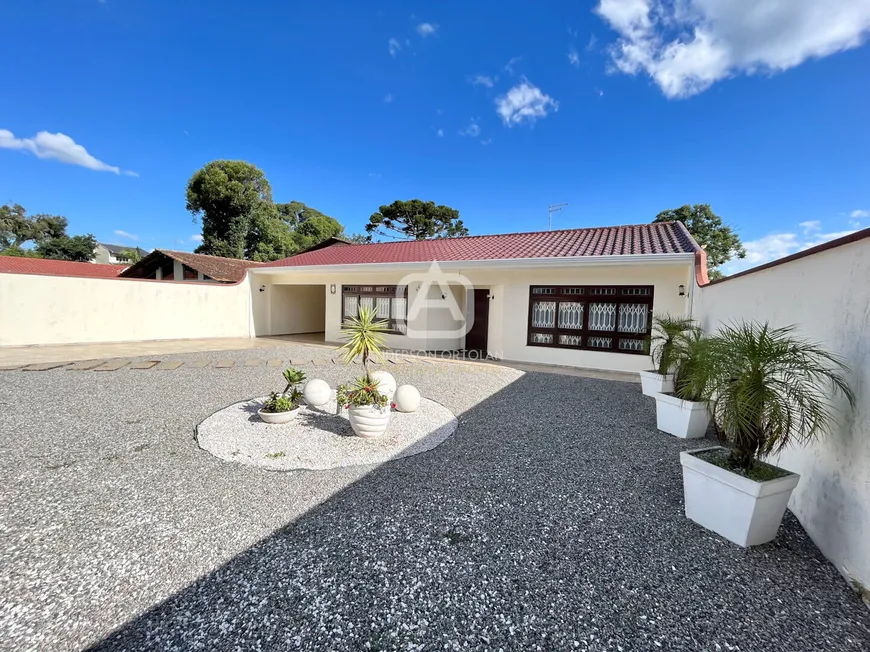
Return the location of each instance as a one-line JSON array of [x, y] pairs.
[[416, 219]]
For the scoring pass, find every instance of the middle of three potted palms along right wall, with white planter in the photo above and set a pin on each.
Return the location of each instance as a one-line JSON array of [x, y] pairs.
[[683, 412]]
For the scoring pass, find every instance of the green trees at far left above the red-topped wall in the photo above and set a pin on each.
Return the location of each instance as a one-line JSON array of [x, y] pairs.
[[46, 232]]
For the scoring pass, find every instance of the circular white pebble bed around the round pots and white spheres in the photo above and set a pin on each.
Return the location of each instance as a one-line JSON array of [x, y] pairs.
[[318, 438]]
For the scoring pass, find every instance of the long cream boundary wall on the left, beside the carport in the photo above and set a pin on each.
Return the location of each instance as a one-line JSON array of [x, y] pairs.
[[65, 310]]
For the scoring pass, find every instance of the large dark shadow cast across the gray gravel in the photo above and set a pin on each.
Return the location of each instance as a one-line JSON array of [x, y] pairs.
[[552, 519]]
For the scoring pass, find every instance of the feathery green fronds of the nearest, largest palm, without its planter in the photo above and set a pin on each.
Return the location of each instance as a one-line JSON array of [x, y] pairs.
[[767, 388]]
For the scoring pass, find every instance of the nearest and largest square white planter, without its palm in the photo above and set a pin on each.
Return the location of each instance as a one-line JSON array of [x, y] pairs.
[[743, 511]]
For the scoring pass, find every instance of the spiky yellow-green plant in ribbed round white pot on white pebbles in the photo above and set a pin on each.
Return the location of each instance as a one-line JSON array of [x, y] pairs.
[[367, 407]]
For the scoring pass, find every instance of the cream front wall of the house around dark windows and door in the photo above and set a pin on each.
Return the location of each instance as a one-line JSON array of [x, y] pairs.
[[508, 310]]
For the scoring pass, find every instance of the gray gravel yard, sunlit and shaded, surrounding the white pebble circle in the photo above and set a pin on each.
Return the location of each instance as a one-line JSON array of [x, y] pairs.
[[552, 519]]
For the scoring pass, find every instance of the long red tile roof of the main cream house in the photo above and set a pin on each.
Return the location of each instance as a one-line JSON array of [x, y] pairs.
[[658, 238]]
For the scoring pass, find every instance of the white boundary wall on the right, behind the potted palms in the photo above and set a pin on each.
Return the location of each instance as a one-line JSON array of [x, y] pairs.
[[828, 296]]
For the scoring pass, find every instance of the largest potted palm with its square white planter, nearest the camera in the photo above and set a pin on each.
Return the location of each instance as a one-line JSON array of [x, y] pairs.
[[766, 388]]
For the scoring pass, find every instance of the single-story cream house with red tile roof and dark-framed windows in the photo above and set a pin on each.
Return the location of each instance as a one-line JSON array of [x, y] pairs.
[[579, 297]]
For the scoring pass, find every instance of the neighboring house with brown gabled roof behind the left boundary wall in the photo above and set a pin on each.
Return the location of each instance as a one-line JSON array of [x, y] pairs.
[[166, 265]]
